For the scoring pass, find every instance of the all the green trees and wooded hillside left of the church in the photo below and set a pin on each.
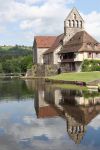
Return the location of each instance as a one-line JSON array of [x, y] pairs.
[[15, 59]]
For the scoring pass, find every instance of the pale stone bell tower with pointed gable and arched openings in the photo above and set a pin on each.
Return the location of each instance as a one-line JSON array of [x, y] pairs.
[[73, 24]]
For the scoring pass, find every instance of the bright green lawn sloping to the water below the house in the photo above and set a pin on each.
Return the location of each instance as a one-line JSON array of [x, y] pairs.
[[82, 76]]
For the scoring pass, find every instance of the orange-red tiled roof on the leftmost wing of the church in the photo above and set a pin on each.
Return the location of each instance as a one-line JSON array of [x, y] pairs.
[[44, 41]]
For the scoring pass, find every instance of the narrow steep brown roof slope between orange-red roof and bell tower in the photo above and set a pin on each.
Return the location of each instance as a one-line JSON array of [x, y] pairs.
[[56, 43]]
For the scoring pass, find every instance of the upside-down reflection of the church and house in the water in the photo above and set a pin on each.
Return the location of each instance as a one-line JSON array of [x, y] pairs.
[[78, 108]]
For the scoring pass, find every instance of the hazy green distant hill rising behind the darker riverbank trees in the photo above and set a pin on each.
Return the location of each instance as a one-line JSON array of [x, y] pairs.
[[14, 51]]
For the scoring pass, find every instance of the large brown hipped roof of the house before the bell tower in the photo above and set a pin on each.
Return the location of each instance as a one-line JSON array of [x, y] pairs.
[[80, 42]]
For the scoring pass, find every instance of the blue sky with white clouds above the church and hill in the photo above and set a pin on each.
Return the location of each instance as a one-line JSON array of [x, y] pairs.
[[21, 20]]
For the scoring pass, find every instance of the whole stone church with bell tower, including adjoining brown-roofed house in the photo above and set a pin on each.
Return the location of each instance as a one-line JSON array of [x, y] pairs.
[[69, 49]]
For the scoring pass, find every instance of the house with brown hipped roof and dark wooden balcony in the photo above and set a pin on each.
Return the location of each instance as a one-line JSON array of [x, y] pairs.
[[80, 47]]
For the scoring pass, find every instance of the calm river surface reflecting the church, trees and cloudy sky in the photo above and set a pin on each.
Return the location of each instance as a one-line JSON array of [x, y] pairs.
[[37, 116]]
